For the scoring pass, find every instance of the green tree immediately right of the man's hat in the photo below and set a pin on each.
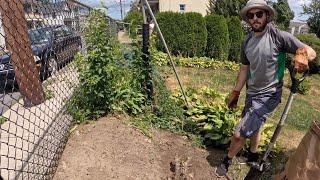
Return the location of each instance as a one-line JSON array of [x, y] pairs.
[[284, 14]]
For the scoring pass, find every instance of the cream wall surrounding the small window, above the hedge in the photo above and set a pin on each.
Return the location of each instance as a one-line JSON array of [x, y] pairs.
[[199, 6]]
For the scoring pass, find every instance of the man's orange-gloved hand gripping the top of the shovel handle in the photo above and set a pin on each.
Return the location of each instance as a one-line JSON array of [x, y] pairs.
[[301, 60]]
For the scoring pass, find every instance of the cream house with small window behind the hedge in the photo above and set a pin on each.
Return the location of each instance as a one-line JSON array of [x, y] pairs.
[[182, 6]]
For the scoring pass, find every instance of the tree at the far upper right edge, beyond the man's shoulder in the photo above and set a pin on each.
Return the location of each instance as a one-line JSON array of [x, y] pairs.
[[314, 11]]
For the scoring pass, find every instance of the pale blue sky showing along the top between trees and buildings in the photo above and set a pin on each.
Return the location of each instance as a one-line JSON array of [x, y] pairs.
[[114, 7]]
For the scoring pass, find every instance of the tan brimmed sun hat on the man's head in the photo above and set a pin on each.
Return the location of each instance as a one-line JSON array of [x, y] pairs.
[[260, 4]]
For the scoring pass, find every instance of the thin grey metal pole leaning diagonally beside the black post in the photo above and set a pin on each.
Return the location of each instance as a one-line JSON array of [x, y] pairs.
[[167, 49]]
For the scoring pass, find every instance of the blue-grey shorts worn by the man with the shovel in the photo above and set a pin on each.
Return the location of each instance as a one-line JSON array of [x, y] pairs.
[[257, 109]]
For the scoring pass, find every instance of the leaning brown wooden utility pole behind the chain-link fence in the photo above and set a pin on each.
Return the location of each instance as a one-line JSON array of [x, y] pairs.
[[18, 44]]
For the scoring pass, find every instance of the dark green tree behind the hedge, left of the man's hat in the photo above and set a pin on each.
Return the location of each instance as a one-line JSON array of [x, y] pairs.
[[226, 8]]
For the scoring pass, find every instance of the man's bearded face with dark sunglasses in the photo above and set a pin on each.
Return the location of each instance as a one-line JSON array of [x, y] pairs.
[[257, 19]]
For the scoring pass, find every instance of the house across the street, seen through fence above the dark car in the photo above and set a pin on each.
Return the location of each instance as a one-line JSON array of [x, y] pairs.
[[40, 13]]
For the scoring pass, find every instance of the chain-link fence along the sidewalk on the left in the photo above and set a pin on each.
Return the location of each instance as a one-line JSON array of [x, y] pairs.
[[38, 42]]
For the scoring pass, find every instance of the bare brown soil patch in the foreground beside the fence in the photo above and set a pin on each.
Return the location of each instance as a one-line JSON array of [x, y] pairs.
[[111, 149]]
